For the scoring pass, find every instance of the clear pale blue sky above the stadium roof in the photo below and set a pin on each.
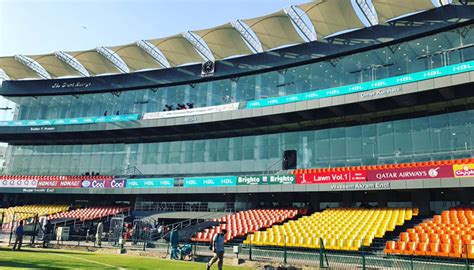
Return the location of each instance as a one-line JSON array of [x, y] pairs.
[[32, 27]]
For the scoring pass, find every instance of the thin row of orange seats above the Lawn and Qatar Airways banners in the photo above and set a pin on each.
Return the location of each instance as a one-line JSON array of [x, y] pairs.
[[386, 166]]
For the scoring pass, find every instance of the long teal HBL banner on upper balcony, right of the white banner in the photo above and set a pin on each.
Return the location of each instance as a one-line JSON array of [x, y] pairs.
[[367, 86]]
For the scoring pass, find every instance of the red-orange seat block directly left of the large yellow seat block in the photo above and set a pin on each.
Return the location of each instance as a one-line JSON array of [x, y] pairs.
[[242, 223]]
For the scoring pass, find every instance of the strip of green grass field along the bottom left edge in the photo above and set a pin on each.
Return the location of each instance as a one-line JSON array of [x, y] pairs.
[[67, 259]]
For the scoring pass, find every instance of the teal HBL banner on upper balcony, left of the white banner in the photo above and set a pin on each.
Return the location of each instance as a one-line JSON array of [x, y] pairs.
[[71, 121]]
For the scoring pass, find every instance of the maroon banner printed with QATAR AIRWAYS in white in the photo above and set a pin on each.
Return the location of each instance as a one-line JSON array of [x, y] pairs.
[[425, 172]]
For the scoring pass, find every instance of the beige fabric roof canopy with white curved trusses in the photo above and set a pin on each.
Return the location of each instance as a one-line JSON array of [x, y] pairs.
[[315, 20]]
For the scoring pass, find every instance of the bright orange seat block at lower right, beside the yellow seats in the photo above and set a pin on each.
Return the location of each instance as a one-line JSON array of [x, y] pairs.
[[450, 234]]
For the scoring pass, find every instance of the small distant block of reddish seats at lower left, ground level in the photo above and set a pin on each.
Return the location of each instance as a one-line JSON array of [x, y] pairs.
[[90, 213]]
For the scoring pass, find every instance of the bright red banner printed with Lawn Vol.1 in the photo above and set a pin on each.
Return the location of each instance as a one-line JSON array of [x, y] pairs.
[[331, 177]]
